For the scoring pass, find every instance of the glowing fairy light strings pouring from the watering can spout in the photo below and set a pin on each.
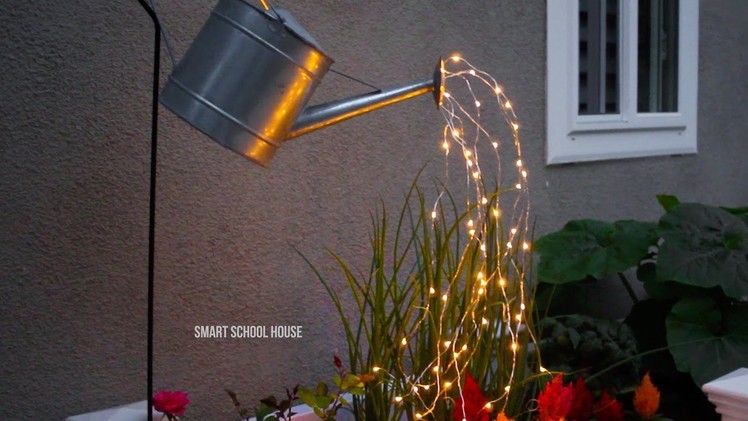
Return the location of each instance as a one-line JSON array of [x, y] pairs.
[[481, 127]]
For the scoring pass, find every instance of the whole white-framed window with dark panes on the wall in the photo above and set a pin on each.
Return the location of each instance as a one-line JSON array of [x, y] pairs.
[[622, 79]]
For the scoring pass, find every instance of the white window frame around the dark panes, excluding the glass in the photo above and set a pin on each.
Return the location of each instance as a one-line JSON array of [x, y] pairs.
[[576, 138]]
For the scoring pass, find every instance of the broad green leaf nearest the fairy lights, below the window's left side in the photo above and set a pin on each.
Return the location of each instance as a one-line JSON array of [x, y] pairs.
[[594, 248]]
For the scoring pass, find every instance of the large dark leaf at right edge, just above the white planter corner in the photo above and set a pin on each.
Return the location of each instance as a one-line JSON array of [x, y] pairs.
[[707, 339]]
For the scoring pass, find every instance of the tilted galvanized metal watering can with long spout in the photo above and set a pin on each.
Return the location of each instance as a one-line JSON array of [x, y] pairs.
[[248, 76]]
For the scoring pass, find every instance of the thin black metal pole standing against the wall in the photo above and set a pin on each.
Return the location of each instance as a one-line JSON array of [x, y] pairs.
[[152, 197]]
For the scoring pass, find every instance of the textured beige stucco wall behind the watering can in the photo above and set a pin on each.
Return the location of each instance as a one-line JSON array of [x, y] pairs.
[[74, 130]]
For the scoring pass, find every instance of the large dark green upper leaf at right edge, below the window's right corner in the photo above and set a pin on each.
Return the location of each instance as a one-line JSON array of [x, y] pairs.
[[704, 246]]
